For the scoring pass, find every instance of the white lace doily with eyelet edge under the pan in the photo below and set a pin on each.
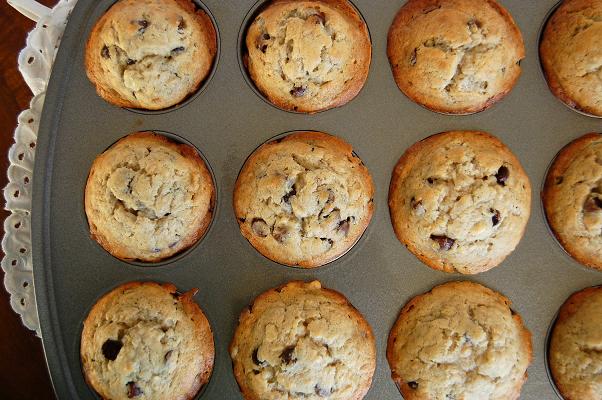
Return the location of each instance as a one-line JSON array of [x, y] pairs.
[[35, 64]]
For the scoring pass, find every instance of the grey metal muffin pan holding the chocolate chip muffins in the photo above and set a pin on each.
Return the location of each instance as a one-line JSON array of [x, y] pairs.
[[226, 122]]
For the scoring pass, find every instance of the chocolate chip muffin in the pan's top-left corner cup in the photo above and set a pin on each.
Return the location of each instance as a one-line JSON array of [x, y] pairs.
[[150, 54]]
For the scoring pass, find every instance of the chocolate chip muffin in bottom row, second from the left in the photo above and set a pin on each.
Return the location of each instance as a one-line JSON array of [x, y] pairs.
[[302, 341]]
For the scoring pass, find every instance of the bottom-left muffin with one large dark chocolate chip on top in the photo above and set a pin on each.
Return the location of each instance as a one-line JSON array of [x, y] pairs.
[[145, 340]]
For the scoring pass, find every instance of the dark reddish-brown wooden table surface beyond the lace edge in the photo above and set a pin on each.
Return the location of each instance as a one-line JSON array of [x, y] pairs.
[[23, 373]]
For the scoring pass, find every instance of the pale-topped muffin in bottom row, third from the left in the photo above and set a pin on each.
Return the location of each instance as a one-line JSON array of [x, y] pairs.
[[461, 340]]
